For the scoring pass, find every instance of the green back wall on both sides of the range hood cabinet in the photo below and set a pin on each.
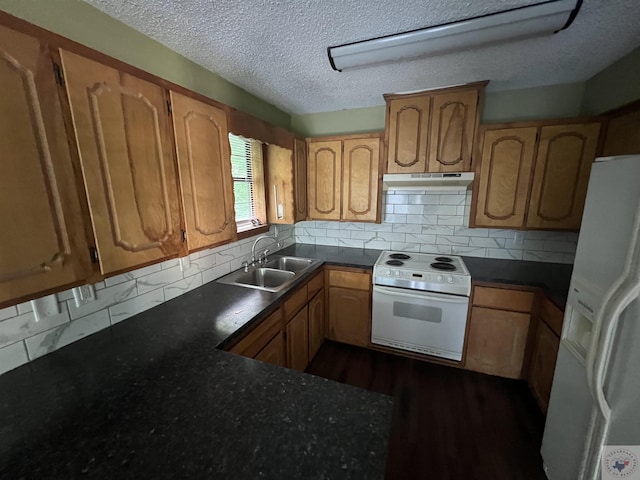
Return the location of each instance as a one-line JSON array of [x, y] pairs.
[[554, 101]]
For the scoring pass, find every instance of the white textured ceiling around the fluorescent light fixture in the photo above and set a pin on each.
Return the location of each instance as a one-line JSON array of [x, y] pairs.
[[276, 49]]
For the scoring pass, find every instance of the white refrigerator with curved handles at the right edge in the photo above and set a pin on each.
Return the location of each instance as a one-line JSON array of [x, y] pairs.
[[595, 398]]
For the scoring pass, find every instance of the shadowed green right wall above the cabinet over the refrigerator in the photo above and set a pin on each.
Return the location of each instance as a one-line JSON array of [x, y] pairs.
[[614, 86]]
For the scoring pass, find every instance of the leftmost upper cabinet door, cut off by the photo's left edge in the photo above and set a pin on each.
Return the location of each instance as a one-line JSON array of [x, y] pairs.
[[43, 239]]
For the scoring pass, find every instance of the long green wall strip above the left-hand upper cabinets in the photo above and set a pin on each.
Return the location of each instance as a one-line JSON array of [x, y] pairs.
[[85, 24]]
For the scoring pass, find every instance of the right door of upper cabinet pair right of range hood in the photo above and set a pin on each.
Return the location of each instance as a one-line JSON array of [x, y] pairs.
[[561, 175]]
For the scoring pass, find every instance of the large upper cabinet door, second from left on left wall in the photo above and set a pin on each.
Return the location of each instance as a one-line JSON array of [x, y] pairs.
[[124, 138]]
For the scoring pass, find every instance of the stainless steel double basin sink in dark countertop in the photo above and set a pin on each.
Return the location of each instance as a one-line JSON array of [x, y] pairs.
[[272, 276]]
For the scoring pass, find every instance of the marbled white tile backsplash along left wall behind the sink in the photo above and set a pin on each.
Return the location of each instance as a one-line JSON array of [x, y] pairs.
[[23, 339]]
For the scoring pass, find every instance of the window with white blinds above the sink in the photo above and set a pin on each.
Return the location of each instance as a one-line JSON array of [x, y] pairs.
[[248, 182]]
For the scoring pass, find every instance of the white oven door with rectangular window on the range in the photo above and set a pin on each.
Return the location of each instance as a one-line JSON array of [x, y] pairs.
[[423, 322]]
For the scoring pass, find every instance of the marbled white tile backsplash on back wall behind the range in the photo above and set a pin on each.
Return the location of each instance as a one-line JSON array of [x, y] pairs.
[[427, 222]]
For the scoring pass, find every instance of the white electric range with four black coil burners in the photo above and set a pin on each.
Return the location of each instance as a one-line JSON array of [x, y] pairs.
[[420, 303]]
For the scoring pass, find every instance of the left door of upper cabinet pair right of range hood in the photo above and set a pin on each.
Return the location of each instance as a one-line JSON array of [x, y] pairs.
[[503, 176]]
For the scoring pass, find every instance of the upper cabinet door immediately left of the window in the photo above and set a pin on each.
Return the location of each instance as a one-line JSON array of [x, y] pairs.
[[202, 145]]
